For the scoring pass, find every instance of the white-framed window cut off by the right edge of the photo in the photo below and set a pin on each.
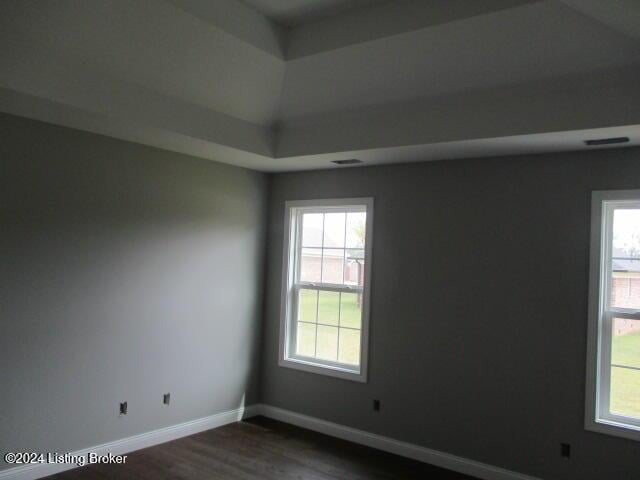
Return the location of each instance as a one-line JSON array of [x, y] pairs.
[[613, 370]]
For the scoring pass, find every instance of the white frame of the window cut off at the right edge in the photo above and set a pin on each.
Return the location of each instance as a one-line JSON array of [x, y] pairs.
[[598, 417]]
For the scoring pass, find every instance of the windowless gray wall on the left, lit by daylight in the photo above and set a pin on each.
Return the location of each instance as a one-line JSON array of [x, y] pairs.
[[127, 272]]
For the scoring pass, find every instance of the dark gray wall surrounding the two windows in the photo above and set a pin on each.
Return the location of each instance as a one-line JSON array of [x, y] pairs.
[[479, 309]]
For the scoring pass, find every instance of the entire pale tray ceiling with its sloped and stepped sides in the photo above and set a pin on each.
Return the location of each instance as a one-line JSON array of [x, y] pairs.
[[396, 81]]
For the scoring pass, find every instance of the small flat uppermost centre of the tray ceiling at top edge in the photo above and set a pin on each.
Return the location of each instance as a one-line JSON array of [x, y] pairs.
[[297, 12]]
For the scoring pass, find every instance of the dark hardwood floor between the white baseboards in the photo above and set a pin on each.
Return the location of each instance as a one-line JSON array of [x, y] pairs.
[[261, 449]]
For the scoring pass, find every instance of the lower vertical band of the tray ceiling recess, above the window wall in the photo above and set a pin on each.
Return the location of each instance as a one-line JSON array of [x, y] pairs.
[[576, 103]]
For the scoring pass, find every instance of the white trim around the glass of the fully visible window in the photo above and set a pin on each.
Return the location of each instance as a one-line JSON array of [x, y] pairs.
[[321, 367]]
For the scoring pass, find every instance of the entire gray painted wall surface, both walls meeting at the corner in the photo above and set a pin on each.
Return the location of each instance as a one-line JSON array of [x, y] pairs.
[[119, 260]]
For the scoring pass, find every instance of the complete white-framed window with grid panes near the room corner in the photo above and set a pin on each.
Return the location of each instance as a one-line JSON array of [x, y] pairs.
[[325, 291]]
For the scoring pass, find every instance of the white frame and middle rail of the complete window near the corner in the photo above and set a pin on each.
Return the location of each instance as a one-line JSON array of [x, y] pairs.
[[287, 358]]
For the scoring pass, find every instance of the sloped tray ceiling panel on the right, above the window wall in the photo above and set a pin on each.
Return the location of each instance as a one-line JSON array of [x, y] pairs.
[[535, 41]]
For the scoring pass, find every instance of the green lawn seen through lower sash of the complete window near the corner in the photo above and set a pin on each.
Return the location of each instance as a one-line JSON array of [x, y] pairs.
[[329, 326]]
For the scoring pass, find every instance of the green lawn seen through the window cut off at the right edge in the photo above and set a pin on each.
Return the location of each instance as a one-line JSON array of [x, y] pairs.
[[625, 383]]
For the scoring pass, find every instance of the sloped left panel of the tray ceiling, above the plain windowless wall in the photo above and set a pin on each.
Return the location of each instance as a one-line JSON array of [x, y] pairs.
[[151, 44]]
